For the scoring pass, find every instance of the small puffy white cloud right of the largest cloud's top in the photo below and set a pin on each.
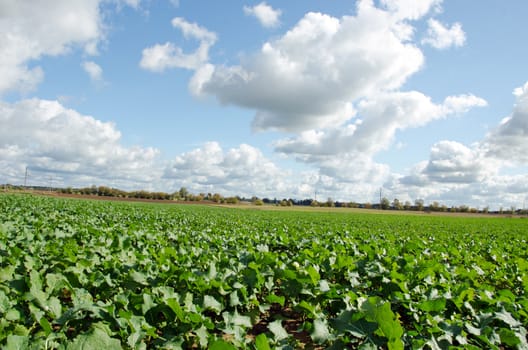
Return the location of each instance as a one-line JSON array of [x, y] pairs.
[[441, 37]]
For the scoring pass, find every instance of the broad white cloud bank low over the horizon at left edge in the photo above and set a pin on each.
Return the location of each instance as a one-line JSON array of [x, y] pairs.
[[51, 139]]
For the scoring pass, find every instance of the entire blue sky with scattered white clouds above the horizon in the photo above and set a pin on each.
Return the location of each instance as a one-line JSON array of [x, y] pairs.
[[426, 100]]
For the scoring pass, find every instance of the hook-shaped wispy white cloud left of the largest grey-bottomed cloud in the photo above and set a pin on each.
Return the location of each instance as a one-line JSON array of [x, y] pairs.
[[159, 57]]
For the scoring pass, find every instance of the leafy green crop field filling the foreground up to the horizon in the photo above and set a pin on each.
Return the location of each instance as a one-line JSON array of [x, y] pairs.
[[80, 274]]
